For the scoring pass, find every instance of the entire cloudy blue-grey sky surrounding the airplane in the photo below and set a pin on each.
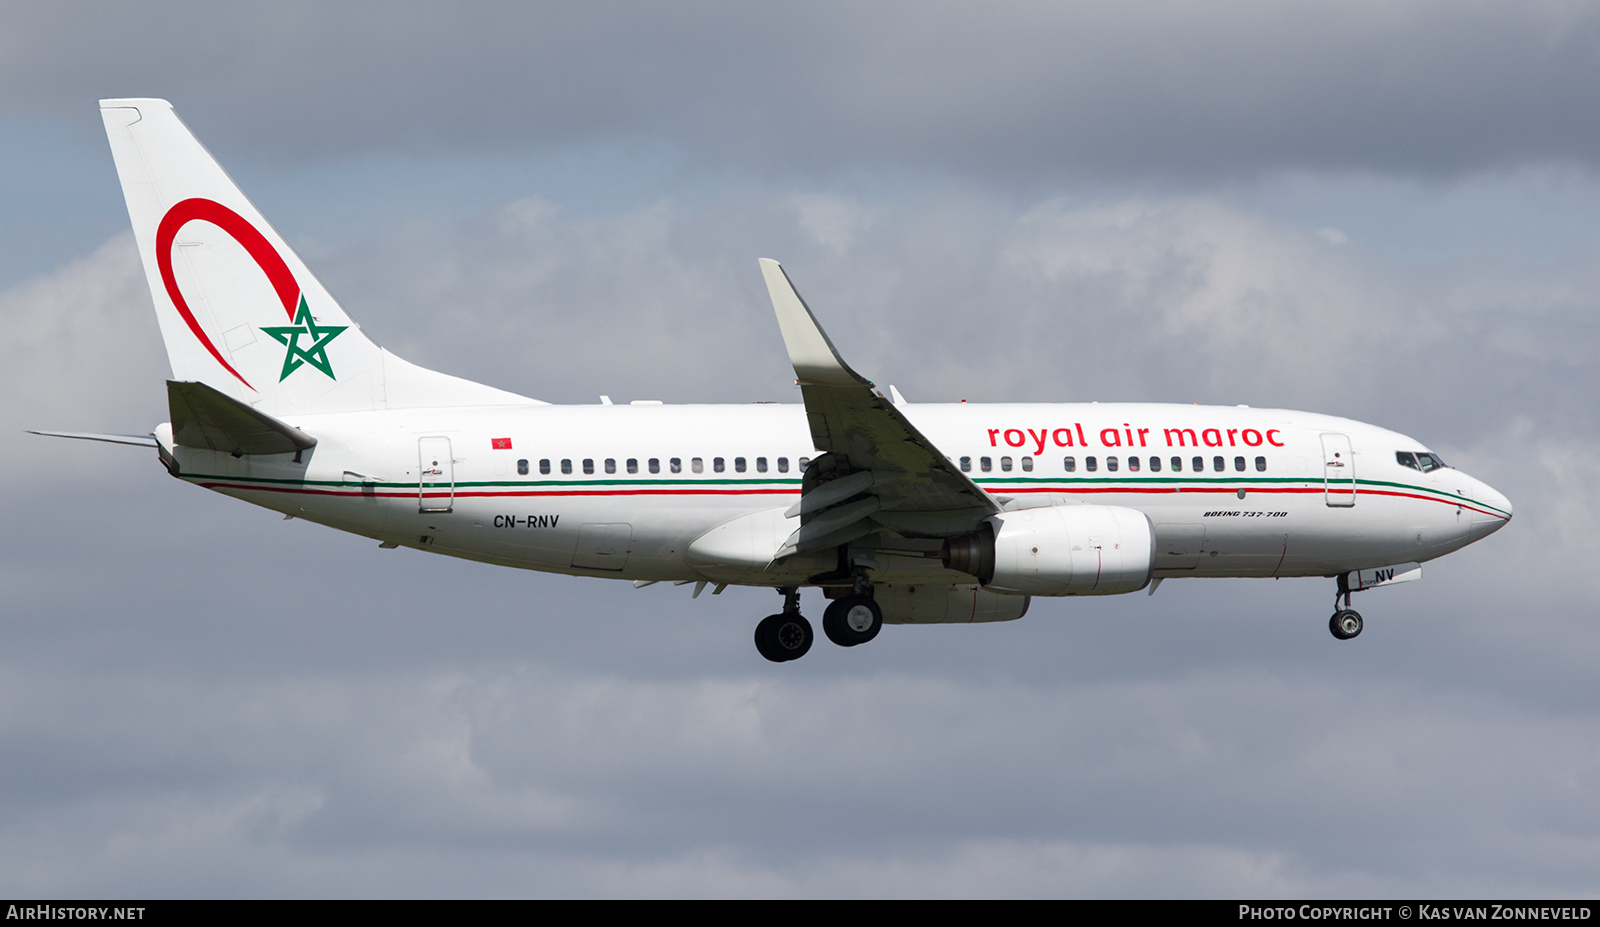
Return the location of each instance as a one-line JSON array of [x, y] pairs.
[[1380, 211]]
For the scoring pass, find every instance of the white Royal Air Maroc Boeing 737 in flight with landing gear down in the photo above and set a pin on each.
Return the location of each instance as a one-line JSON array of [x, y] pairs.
[[900, 513]]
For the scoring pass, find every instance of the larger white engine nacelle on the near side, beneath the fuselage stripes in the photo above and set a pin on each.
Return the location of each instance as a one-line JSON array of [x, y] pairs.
[[1060, 552]]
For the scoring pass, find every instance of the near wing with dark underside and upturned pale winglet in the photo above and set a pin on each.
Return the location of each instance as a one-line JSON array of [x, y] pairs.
[[879, 470]]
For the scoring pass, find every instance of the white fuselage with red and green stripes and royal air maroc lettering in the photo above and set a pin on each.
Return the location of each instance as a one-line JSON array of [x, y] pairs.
[[1230, 492]]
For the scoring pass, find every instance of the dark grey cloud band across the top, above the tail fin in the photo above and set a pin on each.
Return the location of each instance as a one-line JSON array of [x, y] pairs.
[[1018, 97]]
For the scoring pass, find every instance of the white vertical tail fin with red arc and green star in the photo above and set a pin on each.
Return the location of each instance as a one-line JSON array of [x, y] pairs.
[[239, 310]]
